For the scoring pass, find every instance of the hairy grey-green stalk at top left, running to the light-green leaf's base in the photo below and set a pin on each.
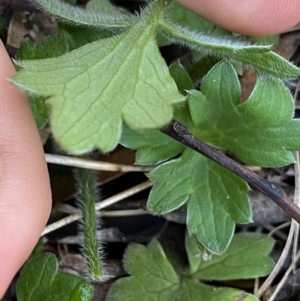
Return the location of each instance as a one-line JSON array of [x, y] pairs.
[[75, 15]]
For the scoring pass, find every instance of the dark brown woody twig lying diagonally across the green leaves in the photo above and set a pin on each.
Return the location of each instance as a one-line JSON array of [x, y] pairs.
[[179, 132]]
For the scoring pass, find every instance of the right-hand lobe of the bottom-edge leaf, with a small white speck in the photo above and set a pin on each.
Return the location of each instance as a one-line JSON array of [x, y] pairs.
[[246, 257]]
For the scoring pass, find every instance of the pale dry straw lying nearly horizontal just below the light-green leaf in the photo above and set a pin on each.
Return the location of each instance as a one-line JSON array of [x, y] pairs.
[[95, 165]]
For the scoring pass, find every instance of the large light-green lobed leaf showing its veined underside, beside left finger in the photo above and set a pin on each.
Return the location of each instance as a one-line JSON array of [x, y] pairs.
[[87, 108]]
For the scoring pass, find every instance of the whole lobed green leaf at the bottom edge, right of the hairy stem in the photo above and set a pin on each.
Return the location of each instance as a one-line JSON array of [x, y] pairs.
[[153, 277]]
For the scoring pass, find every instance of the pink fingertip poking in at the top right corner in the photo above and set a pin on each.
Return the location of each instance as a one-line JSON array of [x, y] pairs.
[[249, 17]]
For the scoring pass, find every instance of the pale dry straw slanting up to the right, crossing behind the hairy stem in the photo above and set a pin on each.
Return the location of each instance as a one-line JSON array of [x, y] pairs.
[[103, 204]]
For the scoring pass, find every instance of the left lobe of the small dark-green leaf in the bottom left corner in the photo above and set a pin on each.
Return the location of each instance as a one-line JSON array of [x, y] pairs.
[[36, 278]]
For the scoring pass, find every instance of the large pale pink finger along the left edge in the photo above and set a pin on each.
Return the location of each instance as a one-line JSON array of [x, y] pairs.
[[25, 197]]
